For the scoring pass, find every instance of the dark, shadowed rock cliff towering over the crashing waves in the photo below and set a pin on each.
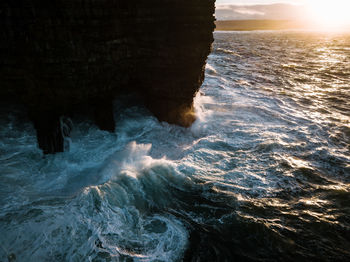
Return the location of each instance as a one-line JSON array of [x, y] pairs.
[[59, 56]]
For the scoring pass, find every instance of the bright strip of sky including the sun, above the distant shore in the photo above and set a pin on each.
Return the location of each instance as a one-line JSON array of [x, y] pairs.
[[328, 14]]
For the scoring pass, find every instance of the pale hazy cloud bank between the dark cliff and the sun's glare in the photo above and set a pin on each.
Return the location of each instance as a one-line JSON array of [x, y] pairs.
[[272, 11]]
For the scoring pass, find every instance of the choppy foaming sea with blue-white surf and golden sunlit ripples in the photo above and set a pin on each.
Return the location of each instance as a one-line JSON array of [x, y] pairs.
[[263, 175]]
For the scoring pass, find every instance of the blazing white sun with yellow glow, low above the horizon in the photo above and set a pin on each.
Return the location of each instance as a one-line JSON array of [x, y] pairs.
[[330, 14]]
